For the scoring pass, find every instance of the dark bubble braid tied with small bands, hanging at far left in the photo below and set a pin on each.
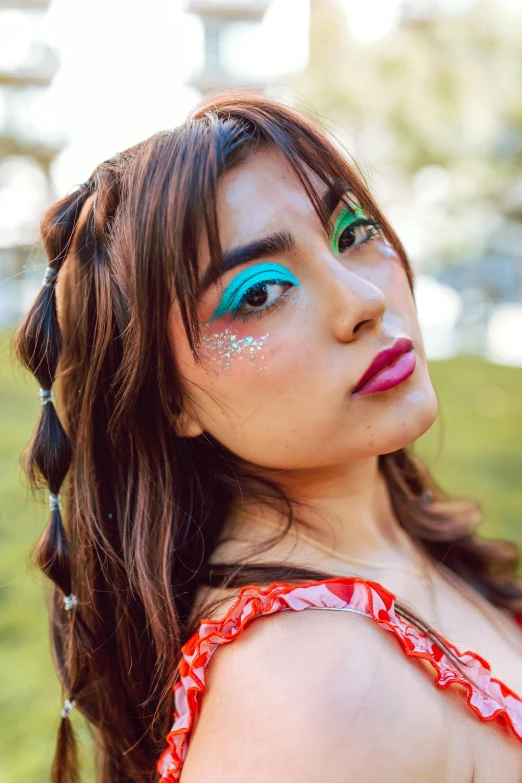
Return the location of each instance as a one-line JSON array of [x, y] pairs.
[[48, 456]]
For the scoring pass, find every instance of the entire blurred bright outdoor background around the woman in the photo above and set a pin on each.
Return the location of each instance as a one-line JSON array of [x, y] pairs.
[[426, 95]]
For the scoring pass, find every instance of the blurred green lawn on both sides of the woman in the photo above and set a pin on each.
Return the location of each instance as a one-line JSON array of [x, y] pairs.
[[474, 450]]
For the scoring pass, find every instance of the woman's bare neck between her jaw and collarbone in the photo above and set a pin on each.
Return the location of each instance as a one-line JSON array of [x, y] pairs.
[[346, 507]]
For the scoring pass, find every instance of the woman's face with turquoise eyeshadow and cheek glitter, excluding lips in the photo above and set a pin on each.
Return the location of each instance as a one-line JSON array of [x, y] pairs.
[[287, 335]]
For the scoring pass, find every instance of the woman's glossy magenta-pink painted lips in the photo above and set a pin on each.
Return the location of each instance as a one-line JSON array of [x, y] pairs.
[[389, 368]]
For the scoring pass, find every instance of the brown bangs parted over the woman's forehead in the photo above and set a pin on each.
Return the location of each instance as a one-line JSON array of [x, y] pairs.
[[221, 135]]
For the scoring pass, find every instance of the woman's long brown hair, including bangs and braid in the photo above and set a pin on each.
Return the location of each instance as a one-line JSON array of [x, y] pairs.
[[144, 508]]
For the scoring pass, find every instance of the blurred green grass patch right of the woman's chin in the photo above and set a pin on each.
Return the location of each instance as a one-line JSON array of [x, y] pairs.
[[474, 449]]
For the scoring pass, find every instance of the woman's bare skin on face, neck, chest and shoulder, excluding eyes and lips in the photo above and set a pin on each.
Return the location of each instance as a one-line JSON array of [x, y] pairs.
[[293, 413]]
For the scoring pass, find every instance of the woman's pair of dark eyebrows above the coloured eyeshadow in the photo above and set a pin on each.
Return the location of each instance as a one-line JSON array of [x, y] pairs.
[[269, 246]]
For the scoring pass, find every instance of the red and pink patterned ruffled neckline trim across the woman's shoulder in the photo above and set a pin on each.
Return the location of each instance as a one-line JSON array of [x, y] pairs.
[[495, 701]]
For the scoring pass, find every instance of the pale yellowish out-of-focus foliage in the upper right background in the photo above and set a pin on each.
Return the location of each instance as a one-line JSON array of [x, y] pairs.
[[439, 92]]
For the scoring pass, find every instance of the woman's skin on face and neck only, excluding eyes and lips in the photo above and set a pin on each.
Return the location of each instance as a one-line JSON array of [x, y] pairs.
[[296, 416]]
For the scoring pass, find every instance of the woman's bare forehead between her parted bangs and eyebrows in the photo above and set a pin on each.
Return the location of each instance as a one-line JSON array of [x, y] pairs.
[[255, 197]]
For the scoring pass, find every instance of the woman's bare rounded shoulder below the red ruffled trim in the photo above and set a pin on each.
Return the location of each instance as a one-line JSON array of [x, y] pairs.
[[313, 696]]
